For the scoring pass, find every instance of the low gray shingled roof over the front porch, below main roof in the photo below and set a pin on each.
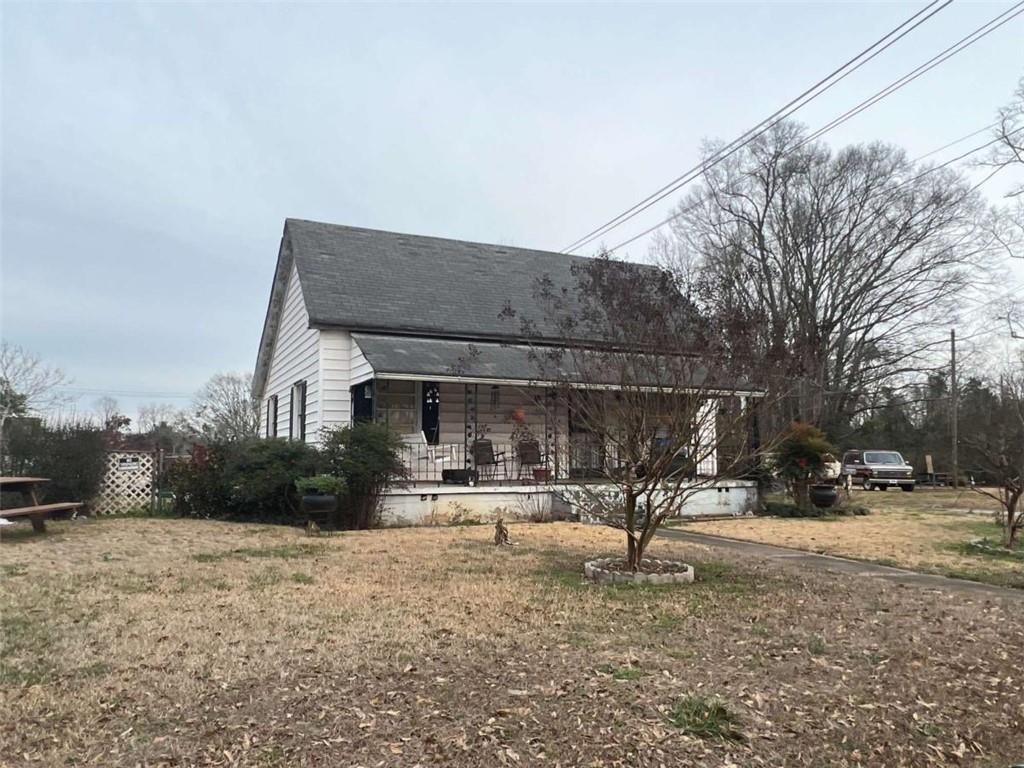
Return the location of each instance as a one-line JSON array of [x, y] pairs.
[[451, 360]]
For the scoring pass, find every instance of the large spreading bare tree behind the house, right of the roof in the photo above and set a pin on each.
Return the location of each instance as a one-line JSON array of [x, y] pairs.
[[855, 260]]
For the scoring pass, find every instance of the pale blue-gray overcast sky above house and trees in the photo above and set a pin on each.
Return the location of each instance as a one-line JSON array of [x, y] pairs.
[[152, 153]]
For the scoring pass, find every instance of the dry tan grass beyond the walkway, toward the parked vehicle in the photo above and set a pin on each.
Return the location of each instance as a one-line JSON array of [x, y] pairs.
[[926, 531]]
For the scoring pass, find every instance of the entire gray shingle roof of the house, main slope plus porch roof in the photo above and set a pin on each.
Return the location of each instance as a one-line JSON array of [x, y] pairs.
[[393, 284]]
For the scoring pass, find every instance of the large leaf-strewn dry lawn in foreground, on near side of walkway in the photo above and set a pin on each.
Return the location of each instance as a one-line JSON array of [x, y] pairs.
[[140, 643]]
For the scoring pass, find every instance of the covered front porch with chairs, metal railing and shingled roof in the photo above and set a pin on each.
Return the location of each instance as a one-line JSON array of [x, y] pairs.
[[472, 415]]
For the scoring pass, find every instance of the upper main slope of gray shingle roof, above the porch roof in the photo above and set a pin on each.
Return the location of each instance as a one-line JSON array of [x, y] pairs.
[[367, 279]]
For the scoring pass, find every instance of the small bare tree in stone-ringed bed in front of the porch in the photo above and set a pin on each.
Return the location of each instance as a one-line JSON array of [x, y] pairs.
[[651, 393]]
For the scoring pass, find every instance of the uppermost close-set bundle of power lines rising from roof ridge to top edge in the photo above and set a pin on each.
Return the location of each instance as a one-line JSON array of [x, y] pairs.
[[851, 66]]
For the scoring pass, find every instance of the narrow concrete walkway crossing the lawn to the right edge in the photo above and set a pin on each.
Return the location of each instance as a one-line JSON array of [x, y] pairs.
[[844, 566]]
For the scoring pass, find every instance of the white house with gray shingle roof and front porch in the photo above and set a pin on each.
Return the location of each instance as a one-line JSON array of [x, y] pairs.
[[409, 330]]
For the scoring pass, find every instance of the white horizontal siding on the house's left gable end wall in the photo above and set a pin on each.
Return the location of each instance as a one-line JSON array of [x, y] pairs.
[[295, 359]]
